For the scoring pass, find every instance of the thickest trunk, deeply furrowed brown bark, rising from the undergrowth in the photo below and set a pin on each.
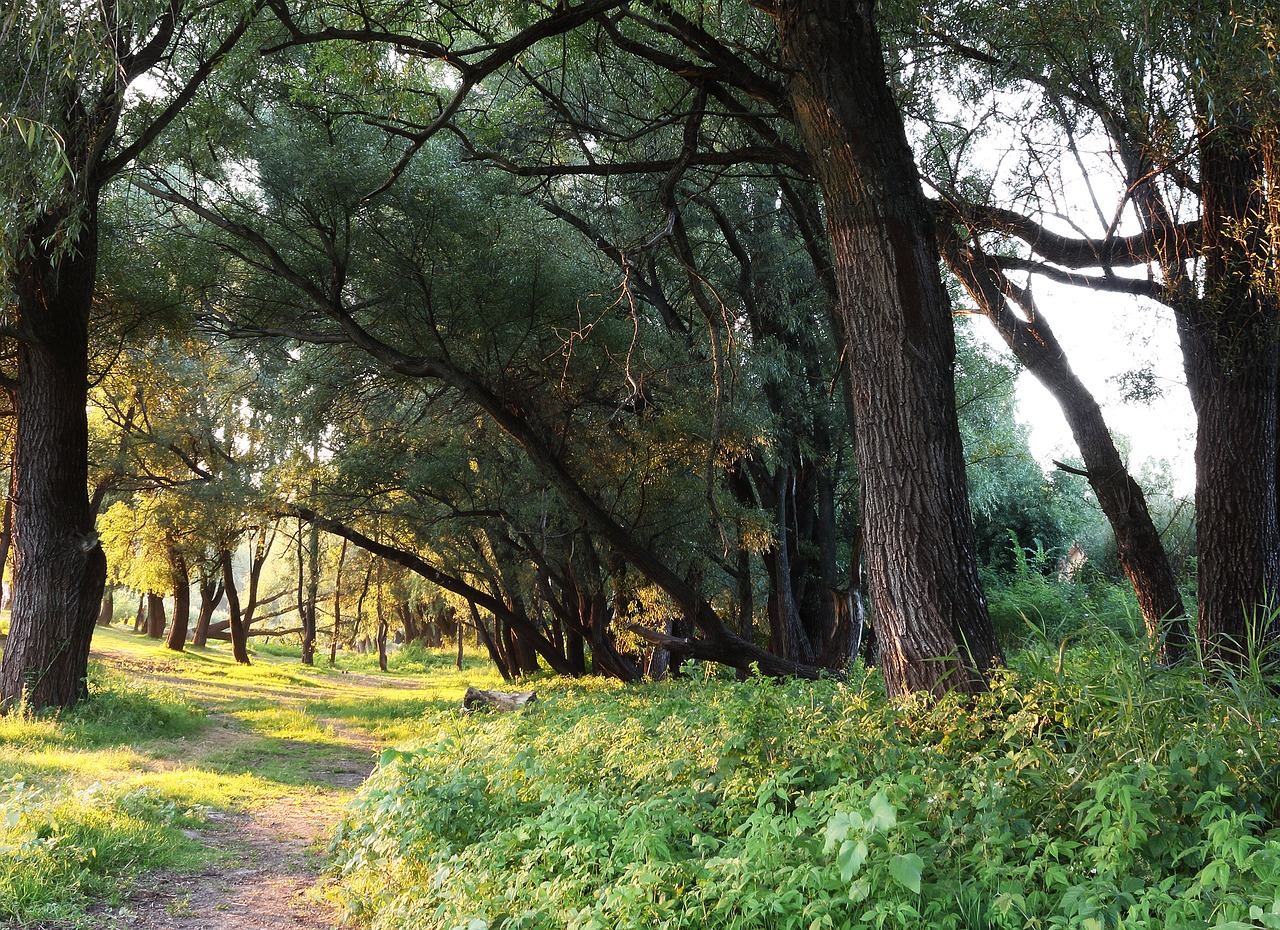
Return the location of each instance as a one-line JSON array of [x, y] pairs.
[[895, 318]]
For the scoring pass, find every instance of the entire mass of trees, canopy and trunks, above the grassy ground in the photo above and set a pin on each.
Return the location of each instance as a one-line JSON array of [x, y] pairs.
[[621, 328]]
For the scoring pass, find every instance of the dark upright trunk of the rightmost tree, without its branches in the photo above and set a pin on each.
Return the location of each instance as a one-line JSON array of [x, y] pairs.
[[1233, 358]]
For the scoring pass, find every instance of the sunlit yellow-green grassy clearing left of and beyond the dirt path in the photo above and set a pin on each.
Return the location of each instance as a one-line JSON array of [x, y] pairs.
[[98, 798]]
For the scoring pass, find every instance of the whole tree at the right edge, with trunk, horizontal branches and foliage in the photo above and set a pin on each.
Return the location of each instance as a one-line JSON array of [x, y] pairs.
[[1185, 98]]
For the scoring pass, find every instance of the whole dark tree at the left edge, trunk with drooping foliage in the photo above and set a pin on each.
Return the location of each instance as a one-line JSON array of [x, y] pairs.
[[67, 71]]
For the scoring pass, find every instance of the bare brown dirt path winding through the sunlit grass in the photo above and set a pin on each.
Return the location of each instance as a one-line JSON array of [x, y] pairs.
[[266, 867]]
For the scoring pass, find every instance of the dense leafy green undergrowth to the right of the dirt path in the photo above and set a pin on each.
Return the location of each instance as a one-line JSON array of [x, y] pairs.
[[1085, 791]]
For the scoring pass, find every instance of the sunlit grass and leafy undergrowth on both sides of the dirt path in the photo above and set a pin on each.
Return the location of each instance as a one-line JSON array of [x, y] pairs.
[[1089, 790]]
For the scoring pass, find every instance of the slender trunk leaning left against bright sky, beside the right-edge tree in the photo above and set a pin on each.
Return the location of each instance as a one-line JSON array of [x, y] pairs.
[[1141, 553]]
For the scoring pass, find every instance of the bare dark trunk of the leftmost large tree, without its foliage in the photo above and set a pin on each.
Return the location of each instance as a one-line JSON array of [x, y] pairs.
[[60, 566]]
